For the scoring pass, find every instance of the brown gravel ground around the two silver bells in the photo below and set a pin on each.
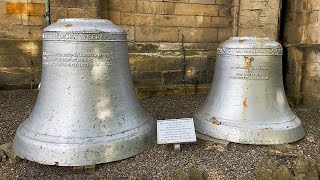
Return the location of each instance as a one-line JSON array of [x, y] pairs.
[[237, 161]]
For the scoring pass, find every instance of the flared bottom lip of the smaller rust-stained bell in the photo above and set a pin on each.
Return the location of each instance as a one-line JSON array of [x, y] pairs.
[[255, 136]]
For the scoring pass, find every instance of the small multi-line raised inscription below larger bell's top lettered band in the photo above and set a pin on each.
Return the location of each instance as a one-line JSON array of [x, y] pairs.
[[82, 59]]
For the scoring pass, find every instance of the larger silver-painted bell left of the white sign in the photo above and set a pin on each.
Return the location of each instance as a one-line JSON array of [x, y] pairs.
[[86, 112]]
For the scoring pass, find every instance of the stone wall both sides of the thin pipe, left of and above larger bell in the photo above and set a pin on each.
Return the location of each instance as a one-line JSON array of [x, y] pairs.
[[21, 25]]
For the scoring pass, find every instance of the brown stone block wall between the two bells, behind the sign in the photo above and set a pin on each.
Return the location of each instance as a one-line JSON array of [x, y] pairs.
[[163, 35]]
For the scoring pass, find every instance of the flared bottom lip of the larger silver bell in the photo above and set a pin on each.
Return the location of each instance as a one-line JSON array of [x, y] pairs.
[[82, 154]]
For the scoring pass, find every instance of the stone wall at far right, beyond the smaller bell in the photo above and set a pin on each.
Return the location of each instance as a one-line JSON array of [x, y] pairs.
[[302, 41]]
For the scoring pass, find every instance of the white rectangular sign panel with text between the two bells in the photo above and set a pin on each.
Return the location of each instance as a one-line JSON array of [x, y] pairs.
[[175, 131]]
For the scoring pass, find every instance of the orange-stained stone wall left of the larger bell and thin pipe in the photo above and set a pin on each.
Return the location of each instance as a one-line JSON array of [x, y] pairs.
[[21, 27]]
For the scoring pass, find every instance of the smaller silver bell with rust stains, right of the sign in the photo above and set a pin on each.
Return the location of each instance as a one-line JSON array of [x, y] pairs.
[[247, 103]]
